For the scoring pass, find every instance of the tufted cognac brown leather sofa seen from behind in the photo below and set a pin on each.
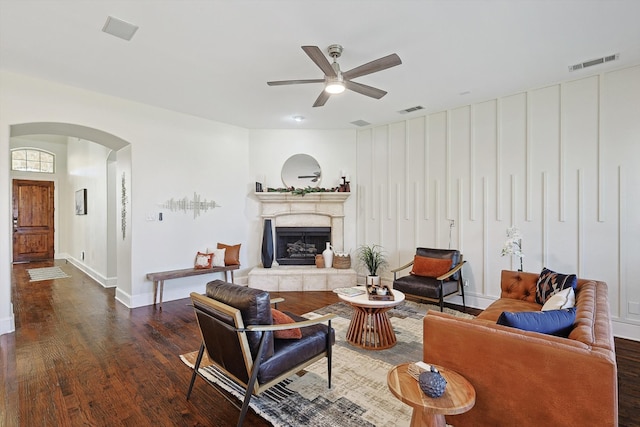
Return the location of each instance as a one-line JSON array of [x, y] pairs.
[[527, 378]]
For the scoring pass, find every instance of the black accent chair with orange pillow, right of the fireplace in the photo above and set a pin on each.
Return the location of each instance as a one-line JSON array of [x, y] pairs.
[[433, 288]]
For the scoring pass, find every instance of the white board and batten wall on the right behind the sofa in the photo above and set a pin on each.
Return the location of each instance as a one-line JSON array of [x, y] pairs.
[[560, 162]]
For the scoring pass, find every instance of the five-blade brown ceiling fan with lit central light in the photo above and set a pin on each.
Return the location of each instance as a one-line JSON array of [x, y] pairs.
[[337, 81]]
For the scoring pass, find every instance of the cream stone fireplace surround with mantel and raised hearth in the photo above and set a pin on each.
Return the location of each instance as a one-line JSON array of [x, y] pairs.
[[311, 210]]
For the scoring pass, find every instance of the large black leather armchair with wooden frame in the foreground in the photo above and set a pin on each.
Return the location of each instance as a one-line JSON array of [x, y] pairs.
[[237, 335]]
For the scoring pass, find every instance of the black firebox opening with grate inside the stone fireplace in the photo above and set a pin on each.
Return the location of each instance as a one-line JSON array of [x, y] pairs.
[[300, 245]]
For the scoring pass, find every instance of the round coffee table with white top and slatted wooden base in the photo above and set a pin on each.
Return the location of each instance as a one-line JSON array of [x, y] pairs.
[[370, 327]]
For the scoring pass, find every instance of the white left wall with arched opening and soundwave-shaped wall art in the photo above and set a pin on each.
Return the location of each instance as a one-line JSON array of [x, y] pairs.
[[172, 156]]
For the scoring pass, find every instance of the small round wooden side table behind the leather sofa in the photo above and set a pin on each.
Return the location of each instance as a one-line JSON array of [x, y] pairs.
[[459, 396]]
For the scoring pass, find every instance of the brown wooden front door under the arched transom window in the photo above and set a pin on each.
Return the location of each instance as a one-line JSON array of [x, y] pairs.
[[32, 220]]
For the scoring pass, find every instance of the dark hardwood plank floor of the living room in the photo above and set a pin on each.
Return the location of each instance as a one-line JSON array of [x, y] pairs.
[[80, 358]]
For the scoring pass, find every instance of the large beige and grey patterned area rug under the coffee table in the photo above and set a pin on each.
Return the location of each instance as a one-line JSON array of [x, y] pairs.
[[359, 395]]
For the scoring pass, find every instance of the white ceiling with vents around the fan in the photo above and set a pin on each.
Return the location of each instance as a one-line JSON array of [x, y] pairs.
[[212, 59]]
